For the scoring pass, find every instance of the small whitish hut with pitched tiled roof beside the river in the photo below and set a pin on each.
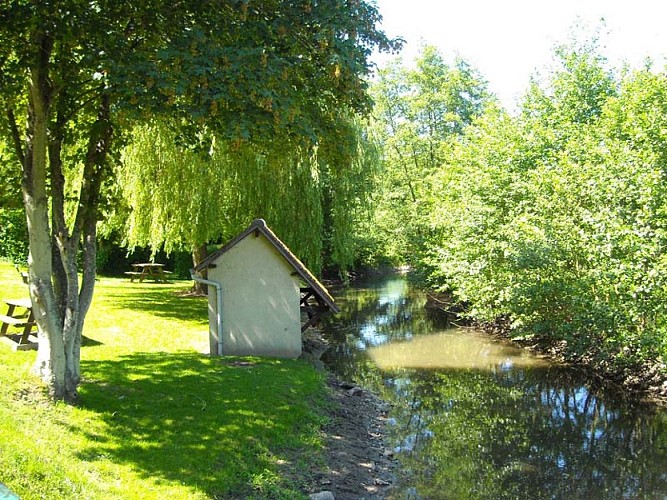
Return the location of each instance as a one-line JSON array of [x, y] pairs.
[[257, 291]]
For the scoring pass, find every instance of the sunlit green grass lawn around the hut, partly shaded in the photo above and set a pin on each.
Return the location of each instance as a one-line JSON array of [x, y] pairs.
[[158, 418]]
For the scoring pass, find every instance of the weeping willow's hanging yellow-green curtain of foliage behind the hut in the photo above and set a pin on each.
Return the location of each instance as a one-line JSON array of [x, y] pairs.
[[311, 192]]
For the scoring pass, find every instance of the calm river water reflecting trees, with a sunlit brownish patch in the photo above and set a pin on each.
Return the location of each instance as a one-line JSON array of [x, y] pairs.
[[477, 418]]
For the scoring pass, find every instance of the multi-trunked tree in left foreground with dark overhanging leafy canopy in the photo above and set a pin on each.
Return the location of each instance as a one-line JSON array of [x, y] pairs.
[[74, 72]]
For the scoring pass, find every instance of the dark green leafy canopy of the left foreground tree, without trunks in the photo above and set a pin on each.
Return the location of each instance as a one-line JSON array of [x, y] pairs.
[[235, 65]]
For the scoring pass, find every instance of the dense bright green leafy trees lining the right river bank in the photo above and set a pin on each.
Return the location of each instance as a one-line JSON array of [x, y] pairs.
[[555, 219]]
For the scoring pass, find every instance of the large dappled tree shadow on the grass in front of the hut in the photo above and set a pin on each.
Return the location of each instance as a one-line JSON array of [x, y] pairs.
[[199, 421]]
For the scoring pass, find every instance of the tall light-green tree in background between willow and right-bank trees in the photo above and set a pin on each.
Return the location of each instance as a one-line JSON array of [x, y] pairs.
[[418, 111]]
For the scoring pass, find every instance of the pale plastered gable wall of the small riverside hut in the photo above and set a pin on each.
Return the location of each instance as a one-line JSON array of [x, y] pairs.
[[260, 301]]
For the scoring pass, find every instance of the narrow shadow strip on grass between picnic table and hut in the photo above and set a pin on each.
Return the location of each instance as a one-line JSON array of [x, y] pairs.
[[166, 303]]
